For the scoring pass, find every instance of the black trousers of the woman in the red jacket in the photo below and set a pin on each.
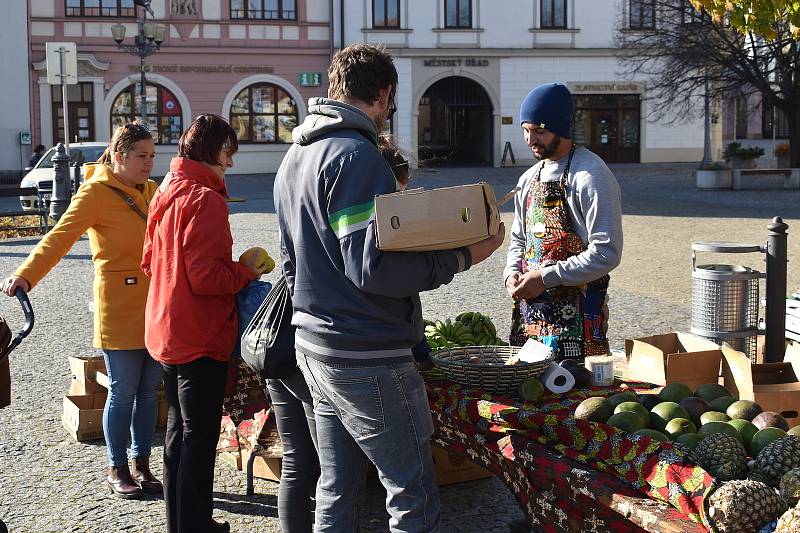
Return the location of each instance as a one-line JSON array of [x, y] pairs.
[[194, 393]]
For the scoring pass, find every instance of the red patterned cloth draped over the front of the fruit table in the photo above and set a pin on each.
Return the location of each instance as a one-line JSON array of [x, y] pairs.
[[569, 474]]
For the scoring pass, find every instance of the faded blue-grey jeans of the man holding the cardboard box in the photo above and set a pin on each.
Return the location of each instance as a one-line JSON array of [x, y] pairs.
[[380, 414]]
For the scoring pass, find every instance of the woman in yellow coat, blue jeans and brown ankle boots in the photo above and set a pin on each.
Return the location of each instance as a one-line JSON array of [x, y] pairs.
[[111, 205]]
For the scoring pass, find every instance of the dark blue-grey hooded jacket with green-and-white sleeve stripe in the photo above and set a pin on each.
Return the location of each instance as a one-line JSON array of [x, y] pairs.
[[352, 302]]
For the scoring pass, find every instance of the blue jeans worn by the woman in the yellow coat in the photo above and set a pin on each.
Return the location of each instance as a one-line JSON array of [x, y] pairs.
[[132, 404]]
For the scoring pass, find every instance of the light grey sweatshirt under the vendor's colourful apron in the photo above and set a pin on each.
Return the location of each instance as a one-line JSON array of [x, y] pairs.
[[595, 209]]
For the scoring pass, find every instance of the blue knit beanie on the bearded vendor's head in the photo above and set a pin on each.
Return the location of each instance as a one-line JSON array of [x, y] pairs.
[[549, 106]]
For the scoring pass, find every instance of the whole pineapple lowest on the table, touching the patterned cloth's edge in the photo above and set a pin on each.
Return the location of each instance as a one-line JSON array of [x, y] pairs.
[[743, 505]]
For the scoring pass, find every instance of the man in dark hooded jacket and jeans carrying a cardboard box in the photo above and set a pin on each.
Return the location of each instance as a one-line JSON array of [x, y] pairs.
[[356, 308]]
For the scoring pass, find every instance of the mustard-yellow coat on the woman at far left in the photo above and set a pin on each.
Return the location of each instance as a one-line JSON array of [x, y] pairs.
[[116, 234]]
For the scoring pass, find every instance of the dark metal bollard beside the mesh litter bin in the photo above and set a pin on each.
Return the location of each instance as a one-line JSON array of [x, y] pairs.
[[775, 334]]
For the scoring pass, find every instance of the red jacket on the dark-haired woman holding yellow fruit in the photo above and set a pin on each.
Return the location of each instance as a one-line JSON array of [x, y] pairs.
[[190, 309]]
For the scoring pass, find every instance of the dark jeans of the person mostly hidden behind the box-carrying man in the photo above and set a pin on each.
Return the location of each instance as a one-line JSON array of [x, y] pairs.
[[294, 415]]
